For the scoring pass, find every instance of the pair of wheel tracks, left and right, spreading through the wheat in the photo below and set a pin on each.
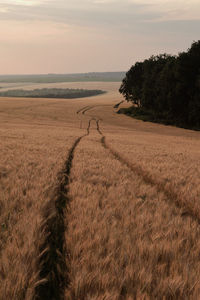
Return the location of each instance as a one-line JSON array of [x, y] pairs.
[[53, 253]]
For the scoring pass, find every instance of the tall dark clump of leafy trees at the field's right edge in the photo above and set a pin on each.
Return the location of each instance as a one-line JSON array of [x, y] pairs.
[[165, 88]]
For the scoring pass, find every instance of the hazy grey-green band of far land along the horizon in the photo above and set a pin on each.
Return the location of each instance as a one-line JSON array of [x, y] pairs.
[[53, 78]]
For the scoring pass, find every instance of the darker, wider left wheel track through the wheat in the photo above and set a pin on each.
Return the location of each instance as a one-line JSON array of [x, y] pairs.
[[53, 274]]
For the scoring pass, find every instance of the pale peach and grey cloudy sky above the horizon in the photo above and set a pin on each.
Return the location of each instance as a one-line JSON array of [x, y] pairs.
[[75, 36]]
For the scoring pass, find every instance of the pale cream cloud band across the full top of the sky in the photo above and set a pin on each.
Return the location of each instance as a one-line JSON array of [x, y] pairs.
[[100, 12]]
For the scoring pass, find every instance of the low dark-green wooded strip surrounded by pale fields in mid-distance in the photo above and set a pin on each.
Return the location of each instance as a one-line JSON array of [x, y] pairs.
[[52, 93]]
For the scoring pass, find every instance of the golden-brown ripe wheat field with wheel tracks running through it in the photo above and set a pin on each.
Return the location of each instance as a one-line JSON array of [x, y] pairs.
[[96, 205]]
